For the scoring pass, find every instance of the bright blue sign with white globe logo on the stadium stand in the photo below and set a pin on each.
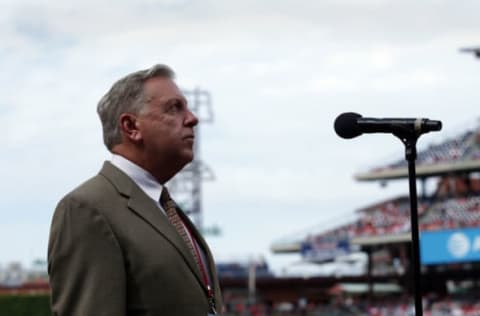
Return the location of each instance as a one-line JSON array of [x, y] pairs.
[[448, 246]]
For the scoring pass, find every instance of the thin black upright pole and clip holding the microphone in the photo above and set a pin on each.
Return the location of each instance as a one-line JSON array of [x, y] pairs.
[[409, 139]]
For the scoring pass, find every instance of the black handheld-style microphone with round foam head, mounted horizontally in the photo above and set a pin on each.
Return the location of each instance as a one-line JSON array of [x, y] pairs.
[[350, 125]]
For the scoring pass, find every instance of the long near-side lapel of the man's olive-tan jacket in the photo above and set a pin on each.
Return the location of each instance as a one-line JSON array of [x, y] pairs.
[[146, 208]]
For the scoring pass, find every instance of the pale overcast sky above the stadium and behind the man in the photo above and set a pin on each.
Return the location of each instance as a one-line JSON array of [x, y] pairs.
[[279, 72]]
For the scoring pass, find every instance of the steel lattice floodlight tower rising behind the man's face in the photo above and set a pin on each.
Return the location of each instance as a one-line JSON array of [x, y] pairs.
[[186, 186]]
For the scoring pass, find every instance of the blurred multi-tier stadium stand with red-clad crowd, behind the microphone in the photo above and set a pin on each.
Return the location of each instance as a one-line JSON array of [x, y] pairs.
[[383, 231]]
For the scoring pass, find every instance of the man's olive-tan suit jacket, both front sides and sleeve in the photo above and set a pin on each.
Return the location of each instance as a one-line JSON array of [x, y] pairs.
[[113, 253]]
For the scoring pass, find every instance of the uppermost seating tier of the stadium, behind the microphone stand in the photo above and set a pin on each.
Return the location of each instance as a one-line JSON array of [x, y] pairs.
[[455, 155]]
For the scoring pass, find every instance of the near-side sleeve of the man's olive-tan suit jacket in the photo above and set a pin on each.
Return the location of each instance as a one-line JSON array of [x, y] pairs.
[[85, 263]]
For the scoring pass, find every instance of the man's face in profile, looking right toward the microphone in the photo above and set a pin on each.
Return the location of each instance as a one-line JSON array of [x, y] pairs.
[[166, 124]]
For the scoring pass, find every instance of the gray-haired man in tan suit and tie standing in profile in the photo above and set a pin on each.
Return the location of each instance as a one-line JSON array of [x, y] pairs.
[[118, 244]]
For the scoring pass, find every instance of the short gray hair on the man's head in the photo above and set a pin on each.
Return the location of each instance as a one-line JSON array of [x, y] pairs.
[[126, 95]]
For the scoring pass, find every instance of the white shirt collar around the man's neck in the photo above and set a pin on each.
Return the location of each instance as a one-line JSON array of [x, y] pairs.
[[140, 176]]
